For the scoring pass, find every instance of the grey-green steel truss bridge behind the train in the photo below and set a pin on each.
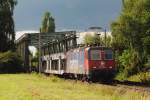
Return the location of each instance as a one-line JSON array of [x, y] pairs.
[[46, 43]]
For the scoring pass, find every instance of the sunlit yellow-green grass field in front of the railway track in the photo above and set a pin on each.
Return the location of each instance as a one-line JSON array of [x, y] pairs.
[[39, 87]]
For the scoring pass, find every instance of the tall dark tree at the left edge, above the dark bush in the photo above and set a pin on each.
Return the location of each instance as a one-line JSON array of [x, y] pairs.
[[7, 34]]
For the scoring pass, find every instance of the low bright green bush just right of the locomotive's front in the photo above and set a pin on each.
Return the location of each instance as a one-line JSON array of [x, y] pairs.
[[129, 63]]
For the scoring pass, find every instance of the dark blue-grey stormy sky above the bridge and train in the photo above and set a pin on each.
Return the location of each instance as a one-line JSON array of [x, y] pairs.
[[68, 14]]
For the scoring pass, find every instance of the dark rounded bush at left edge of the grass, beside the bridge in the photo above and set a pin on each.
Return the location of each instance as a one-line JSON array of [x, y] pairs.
[[10, 63]]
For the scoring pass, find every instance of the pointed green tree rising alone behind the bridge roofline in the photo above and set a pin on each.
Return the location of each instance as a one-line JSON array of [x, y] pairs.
[[48, 23]]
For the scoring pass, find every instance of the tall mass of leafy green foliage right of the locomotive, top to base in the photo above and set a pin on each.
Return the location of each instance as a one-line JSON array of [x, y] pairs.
[[131, 31]]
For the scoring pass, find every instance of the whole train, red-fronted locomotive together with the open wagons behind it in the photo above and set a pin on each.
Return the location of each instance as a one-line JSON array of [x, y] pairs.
[[90, 63]]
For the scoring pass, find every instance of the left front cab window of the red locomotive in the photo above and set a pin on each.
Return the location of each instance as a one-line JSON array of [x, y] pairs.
[[95, 55]]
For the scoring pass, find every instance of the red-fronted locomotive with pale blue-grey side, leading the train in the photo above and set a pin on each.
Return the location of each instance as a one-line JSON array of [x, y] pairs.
[[92, 62]]
